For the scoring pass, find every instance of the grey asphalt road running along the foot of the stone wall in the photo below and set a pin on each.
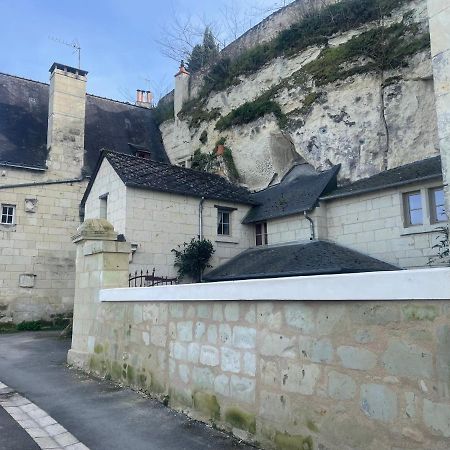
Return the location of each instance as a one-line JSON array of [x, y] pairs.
[[98, 413]]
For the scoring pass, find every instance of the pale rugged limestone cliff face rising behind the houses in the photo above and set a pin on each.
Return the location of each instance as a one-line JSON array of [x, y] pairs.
[[367, 121]]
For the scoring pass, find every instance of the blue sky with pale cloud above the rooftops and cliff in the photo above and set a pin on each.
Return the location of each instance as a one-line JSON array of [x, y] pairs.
[[118, 38]]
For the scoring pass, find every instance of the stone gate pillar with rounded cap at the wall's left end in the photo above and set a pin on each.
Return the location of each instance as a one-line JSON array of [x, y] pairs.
[[101, 262]]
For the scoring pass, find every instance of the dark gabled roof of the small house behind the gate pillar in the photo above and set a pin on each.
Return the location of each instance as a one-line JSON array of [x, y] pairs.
[[147, 174]]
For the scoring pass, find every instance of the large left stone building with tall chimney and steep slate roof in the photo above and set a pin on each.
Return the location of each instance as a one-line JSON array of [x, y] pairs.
[[50, 139]]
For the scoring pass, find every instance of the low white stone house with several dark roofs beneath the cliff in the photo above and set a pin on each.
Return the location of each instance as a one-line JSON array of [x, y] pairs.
[[304, 225]]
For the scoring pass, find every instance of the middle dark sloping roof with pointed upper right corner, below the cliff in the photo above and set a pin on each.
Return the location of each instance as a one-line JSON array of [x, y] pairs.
[[286, 198]]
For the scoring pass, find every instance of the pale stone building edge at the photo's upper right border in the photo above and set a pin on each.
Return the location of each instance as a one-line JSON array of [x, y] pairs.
[[439, 19]]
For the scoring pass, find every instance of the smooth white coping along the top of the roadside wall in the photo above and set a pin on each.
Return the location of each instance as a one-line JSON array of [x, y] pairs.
[[416, 284]]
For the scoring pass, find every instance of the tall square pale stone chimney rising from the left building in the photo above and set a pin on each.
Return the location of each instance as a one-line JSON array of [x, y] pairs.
[[66, 121]]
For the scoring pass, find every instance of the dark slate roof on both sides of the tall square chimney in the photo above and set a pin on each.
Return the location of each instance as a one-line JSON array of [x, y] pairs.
[[109, 124]]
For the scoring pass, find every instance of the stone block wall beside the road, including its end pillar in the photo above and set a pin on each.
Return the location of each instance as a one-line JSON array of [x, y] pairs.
[[285, 374]]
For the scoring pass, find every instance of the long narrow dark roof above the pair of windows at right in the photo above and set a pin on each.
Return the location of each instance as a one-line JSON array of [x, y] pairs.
[[426, 169]]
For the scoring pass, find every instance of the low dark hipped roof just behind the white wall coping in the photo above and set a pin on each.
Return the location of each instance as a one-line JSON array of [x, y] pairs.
[[304, 258]]
